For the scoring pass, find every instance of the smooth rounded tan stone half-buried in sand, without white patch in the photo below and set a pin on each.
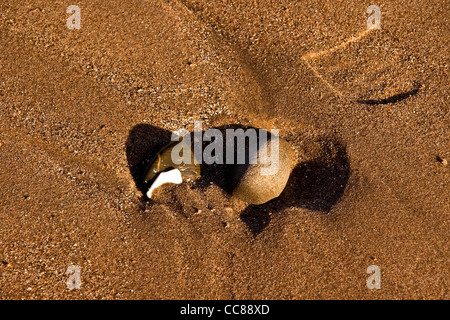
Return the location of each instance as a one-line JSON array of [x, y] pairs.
[[259, 183]]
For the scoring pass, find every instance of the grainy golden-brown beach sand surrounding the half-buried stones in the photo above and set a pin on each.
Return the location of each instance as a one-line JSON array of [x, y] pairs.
[[367, 113]]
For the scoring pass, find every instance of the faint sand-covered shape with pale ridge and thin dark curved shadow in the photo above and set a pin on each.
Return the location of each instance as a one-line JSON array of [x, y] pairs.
[[368, 68]]
